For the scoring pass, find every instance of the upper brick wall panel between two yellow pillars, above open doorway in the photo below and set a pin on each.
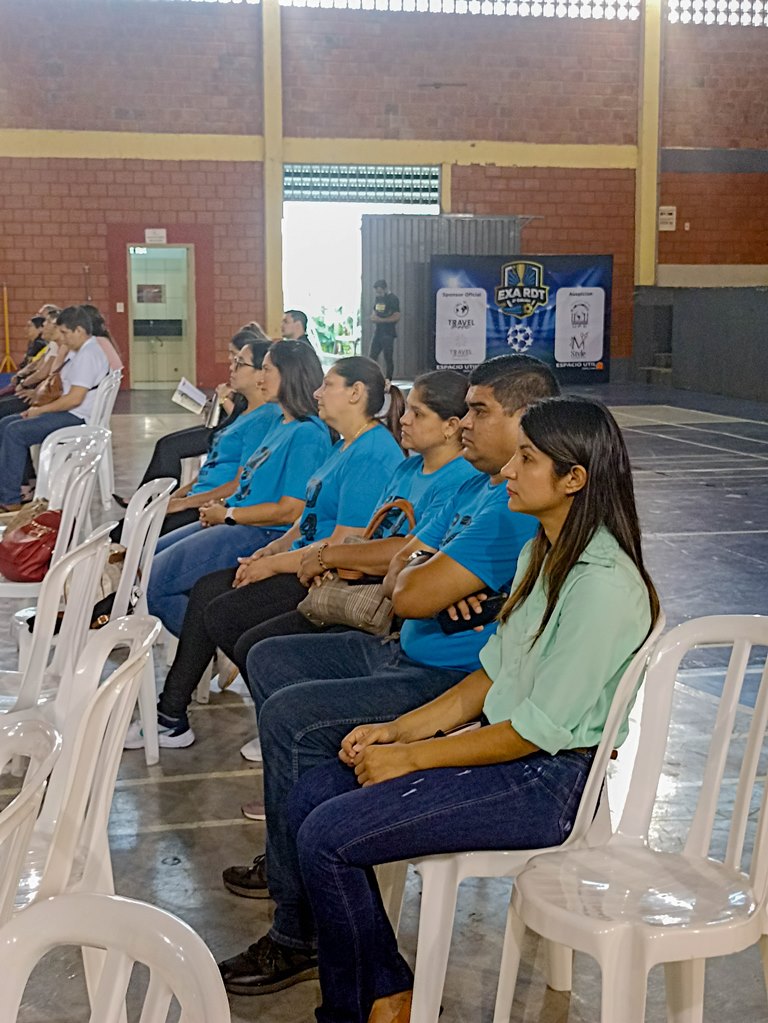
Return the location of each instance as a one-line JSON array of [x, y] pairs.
[[535, 80]]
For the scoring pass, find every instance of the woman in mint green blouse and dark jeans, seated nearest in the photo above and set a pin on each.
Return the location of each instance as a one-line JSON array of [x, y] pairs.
[[581, 605]]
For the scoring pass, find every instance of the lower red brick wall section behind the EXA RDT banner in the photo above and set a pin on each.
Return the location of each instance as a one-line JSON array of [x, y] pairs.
[[581, 211]]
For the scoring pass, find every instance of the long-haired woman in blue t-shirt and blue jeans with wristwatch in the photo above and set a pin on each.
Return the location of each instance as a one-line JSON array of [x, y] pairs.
[[270, 493]]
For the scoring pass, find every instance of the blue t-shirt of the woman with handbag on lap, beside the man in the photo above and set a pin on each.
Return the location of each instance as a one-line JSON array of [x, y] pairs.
[[428, 493]]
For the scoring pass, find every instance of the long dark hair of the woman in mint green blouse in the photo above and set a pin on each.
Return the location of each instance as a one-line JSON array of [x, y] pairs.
[[581, 432]]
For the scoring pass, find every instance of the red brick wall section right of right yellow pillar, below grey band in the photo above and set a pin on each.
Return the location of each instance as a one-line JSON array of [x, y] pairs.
[[728, 214]]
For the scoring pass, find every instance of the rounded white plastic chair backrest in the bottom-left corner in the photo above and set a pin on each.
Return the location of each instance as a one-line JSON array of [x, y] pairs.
[[180, 965]]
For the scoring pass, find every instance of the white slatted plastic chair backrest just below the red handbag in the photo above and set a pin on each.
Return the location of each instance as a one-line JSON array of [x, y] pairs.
[[52, 661]]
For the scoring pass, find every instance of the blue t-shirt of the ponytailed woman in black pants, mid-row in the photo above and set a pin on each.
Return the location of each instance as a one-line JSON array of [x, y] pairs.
[[344, 491]]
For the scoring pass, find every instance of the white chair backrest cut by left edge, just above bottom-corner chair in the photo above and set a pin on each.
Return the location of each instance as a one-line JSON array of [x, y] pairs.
[[40, 744]]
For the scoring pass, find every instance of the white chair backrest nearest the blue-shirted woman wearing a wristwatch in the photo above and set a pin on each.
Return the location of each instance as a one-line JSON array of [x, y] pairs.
[[142, 527]]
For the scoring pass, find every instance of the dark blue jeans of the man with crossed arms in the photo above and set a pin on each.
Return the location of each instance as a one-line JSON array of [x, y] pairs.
[[309, 693]]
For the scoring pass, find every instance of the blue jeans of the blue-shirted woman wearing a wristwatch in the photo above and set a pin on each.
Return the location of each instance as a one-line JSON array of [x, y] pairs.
[[187, 555]]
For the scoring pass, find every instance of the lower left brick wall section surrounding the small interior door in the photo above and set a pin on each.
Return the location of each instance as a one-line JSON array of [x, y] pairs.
[[56, 216]]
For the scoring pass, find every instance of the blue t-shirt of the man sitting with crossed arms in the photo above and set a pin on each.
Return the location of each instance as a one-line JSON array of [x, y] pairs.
[[478, 530]]
